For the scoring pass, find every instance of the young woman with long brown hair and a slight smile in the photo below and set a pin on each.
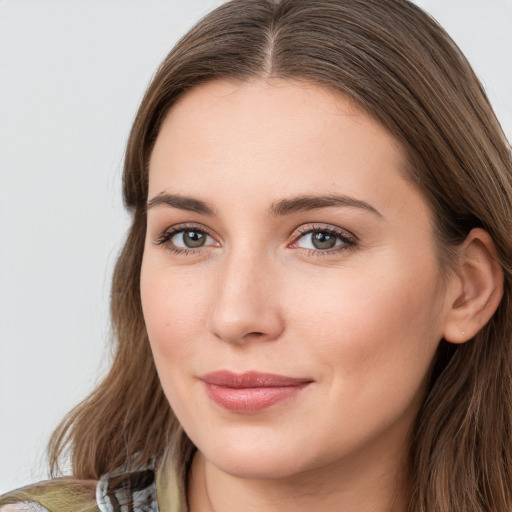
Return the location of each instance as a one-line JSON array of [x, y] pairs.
[[312, 305]]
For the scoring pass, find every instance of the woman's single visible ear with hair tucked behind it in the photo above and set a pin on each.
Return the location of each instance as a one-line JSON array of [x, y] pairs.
[[476, 289]]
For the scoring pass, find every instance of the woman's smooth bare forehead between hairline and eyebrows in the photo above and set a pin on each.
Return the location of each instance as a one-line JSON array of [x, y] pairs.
[[272, 137]]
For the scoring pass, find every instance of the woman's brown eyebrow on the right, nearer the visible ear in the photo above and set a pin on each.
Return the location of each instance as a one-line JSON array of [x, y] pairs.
[[307, 203]]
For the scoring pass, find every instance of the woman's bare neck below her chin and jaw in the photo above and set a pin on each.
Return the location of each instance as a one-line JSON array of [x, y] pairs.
[[375, 487]]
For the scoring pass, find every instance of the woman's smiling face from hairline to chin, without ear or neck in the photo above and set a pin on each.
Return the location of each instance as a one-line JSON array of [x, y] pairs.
[[290, 284]]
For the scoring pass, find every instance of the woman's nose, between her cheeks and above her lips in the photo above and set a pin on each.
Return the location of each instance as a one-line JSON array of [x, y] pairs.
[[246, 302]]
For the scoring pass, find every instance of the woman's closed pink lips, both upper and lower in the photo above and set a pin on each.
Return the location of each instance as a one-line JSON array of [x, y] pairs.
[[251, 392]]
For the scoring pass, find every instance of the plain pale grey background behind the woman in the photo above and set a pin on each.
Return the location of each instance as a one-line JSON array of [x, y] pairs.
[[71, 76]]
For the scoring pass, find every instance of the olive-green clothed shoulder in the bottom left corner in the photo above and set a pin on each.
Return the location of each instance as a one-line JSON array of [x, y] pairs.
[[59, 495]]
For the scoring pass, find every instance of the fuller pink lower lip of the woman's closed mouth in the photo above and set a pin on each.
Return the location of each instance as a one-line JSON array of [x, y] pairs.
[[251, 400]]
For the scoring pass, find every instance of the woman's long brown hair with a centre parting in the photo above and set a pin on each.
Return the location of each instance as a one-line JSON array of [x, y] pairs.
[[400, 66]]
